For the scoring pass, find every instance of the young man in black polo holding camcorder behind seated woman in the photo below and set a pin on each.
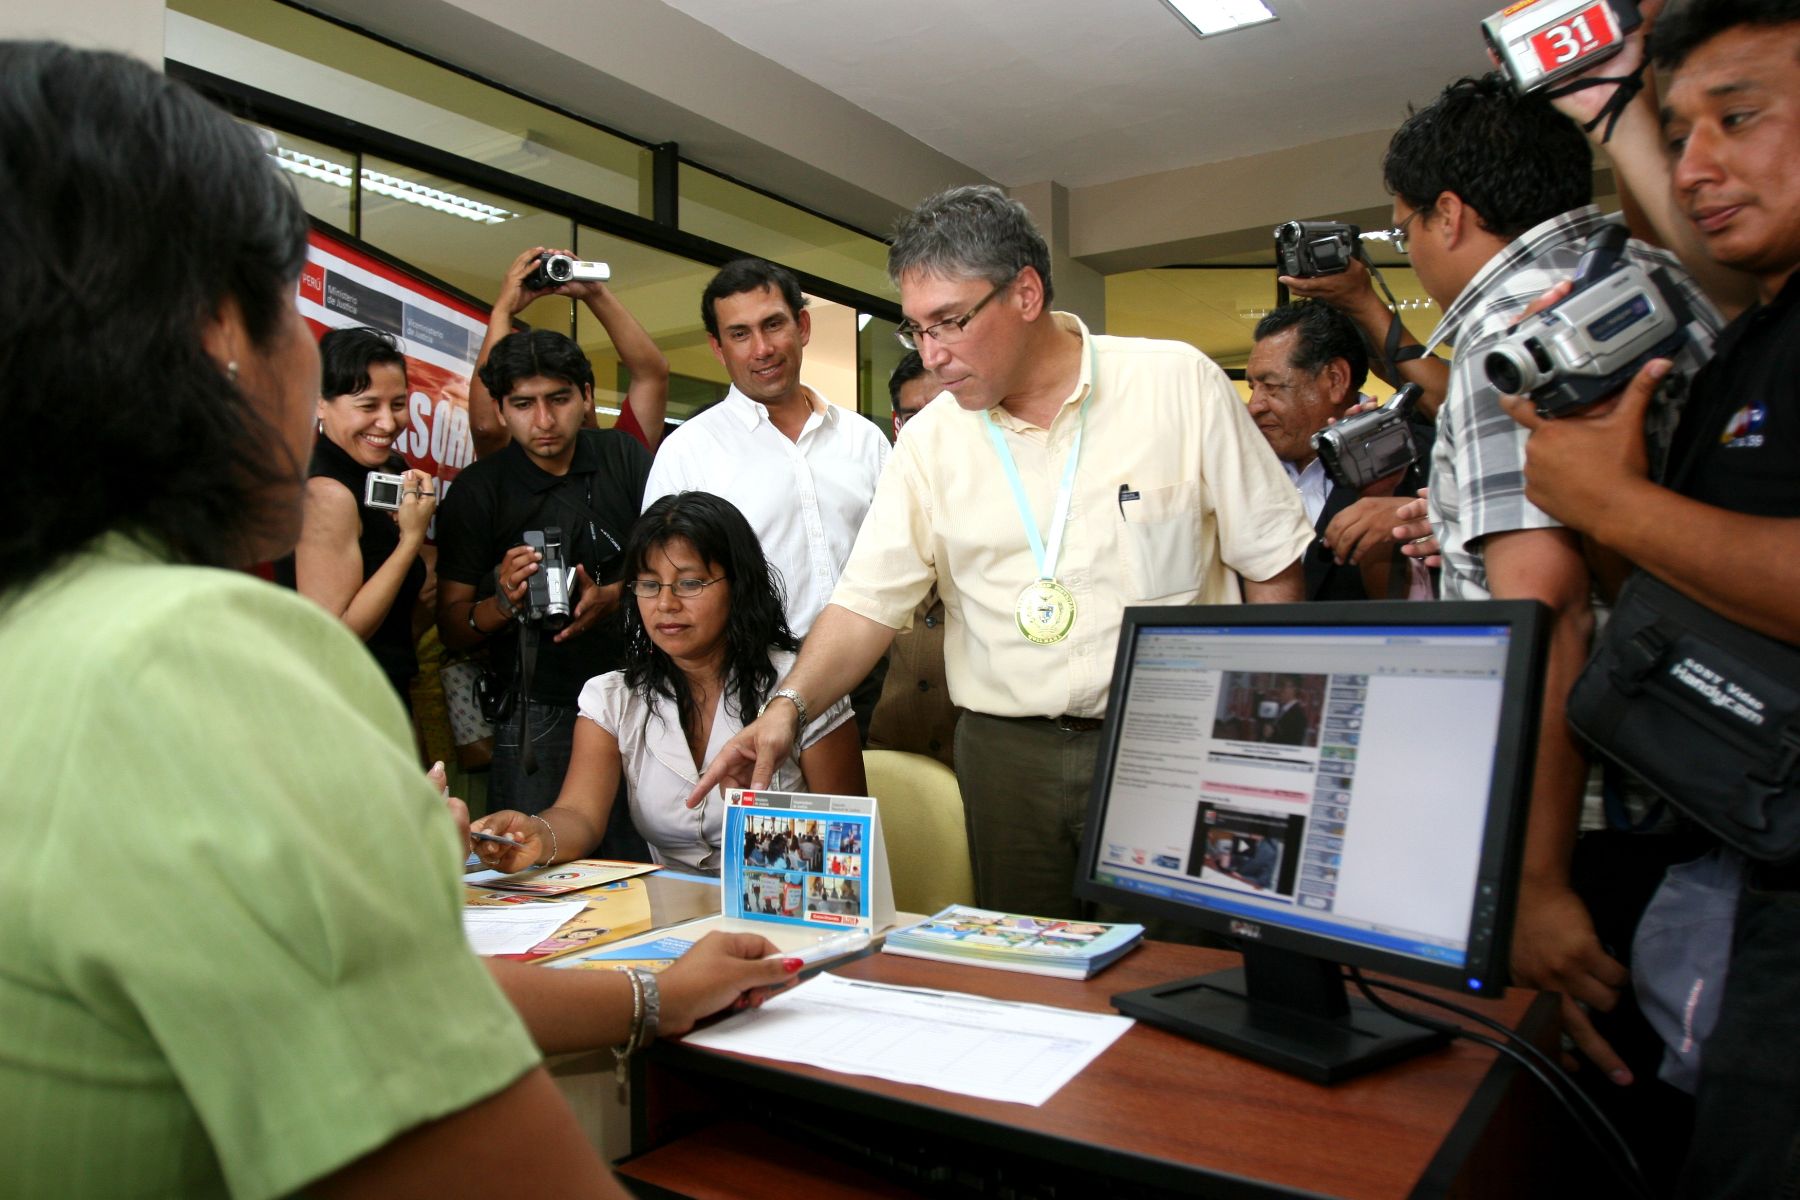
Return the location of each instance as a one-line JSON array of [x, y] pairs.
[[553, 474]]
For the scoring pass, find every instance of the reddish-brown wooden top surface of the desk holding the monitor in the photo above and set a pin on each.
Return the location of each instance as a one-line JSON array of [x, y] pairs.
[[1165, 1111]]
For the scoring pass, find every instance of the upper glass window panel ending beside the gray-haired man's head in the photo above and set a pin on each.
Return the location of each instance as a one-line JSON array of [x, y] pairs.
[[737, 217]]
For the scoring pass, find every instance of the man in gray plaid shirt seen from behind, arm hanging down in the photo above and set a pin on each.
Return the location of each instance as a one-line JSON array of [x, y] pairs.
[[1486, 244]]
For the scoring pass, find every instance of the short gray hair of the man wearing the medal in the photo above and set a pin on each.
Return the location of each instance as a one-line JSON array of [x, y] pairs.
[[969, 233]]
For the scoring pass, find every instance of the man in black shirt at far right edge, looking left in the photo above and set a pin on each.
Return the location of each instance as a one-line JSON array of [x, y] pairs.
[[1722, 526]]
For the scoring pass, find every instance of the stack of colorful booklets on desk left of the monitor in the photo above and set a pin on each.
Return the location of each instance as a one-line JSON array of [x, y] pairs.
[[1016, 944]]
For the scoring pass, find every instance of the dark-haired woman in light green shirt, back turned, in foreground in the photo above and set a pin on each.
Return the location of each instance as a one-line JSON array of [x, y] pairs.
[[202, 994]]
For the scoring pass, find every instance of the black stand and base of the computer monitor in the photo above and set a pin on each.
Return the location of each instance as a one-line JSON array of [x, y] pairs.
[[1284, 1010]]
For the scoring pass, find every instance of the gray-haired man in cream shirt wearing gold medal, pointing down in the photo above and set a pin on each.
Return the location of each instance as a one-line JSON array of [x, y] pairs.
[[1074, 476]]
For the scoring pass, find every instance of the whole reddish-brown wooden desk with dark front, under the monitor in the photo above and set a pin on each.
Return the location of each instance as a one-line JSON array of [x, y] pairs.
[[1153, 1116]]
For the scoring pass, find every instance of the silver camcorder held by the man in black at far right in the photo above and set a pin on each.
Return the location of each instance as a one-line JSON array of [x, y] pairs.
[[1592, 343]]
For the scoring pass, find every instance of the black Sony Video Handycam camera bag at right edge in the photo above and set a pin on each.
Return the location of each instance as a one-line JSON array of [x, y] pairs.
[[1705, 712]]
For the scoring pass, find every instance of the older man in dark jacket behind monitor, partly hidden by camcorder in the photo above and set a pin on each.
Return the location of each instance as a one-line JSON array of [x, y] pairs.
[[1308, 370]]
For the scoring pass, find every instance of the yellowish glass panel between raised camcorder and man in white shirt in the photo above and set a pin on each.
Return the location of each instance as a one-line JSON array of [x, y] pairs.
[[663, 292]]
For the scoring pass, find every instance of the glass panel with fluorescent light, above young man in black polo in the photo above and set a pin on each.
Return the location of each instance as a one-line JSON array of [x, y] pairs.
[[451, 231]]
